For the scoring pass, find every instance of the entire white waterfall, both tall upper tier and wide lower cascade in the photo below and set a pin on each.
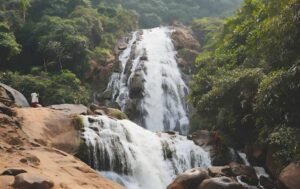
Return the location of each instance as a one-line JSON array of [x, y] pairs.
[[150, 89]]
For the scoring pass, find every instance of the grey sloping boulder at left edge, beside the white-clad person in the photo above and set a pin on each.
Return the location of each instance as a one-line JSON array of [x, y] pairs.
[[10, 96]]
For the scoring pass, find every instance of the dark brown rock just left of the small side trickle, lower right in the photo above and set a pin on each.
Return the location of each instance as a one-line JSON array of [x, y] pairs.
[[248, 173]]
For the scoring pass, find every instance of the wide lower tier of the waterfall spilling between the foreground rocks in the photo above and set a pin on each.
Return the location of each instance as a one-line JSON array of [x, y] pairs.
[[138, 158]]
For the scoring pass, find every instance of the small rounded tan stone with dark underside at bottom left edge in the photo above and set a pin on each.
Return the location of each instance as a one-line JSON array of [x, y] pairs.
[[31, 181]]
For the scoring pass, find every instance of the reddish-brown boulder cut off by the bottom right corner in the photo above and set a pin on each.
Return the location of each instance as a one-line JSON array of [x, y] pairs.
[[290, 175]]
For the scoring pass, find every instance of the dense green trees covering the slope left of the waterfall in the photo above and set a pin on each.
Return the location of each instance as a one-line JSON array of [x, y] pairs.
[[44, 40]]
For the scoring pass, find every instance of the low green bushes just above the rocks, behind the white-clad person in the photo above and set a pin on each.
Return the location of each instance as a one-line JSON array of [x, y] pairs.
[[52, 89]]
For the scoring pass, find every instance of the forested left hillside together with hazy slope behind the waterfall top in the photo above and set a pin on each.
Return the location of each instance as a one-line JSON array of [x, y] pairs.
[[56, 46]]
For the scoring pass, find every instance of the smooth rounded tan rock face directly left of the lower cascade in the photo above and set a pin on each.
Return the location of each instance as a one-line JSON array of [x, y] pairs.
[[49, 127]]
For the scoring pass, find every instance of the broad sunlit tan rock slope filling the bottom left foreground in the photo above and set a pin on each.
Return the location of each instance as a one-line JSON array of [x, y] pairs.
[[27, 164]]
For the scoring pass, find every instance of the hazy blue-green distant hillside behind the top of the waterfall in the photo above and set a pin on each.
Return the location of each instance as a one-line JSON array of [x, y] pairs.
[[152, 13]]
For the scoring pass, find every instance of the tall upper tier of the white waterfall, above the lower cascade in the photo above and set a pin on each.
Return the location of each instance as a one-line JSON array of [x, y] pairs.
[[150, 87]]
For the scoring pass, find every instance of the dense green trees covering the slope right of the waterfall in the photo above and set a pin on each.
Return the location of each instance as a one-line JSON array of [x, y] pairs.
[[248, 80]]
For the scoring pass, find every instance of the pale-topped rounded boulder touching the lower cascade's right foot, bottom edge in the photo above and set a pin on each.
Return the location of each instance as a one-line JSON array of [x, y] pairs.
[[190, 179]]
